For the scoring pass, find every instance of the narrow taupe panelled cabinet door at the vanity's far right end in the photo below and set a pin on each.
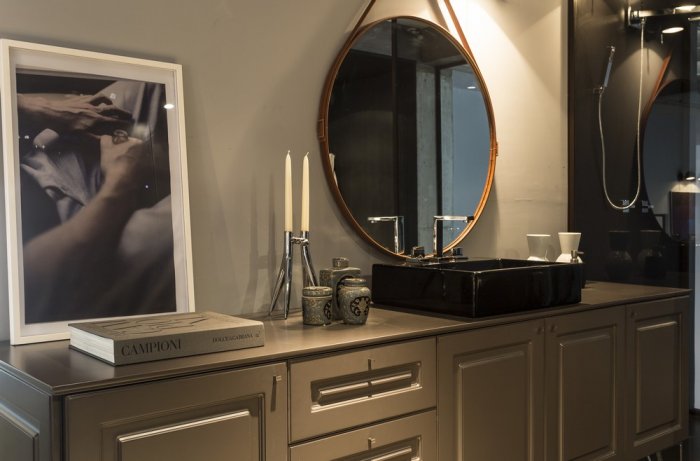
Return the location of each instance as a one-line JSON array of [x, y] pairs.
[[657, 375]]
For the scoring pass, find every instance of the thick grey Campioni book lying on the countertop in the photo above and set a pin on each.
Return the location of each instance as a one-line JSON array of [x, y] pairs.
[[144, 339]]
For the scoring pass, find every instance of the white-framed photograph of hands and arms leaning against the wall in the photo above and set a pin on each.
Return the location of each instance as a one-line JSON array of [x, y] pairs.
[[96, 200]]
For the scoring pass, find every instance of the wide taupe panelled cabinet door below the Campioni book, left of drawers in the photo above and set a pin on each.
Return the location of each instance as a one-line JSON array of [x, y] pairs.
[[240, 414]]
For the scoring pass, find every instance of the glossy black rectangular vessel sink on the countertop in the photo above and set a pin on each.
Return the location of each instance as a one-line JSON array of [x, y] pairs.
[[478, 287]]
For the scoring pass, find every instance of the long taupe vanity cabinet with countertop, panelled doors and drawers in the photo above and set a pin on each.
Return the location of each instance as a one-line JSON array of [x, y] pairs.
[[606, 379]]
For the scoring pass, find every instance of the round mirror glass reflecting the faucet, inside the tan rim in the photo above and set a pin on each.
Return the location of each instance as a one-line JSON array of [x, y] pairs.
[[407, 136]]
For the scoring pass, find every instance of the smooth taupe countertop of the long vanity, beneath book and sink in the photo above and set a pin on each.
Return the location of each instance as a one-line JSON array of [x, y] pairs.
[[55, 369]]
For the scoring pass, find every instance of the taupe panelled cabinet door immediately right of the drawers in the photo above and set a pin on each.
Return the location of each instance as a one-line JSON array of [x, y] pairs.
[[490, 397]]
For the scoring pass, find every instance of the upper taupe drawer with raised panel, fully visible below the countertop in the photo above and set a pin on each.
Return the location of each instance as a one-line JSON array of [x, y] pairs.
[[340, 391]]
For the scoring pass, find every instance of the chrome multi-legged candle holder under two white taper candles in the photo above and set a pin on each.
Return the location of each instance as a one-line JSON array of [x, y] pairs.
[[284, 277]]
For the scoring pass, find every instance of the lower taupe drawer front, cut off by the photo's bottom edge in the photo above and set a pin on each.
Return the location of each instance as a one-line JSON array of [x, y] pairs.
[[411, 438]]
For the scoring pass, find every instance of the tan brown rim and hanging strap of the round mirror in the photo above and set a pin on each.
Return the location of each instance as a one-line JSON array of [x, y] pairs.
[[463, 47]]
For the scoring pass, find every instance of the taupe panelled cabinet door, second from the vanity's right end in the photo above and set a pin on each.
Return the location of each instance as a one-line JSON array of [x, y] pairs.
[[585, 374]]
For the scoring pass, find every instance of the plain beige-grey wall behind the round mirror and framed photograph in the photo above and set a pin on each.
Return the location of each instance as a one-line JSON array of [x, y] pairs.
[[253, 77]]
